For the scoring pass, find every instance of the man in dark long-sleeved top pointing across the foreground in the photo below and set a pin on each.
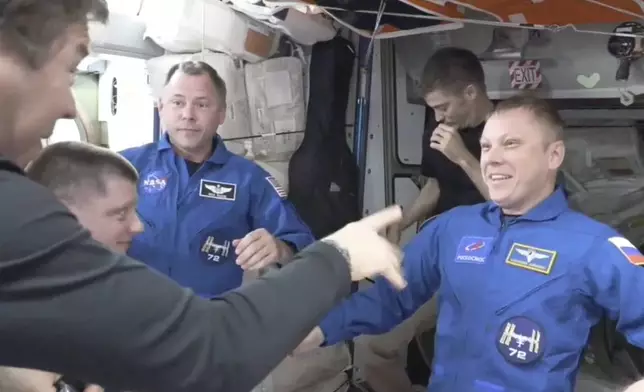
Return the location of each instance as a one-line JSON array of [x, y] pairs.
[[71, 305]]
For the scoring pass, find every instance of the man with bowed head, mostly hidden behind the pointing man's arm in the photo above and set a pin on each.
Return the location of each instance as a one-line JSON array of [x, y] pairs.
[[99, 188]]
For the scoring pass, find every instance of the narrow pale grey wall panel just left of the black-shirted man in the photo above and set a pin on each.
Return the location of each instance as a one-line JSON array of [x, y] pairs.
[[411, 121]]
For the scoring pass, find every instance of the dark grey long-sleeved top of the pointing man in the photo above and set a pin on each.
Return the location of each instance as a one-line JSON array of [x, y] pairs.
[[71, 306]]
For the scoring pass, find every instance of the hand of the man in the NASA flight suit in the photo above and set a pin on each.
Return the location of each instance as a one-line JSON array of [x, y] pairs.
[[258, 249]]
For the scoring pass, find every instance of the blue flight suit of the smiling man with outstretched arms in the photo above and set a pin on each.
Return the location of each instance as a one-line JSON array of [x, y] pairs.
[[517, 296]]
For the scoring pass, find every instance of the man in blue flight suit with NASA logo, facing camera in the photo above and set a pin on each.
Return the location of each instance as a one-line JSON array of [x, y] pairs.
[[209, 215]]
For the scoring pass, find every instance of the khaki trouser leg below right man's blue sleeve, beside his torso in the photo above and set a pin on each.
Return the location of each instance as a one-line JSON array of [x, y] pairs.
[[385, 360]]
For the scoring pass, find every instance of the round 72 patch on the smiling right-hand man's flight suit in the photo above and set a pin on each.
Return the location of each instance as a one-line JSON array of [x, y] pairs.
[[520, 340]]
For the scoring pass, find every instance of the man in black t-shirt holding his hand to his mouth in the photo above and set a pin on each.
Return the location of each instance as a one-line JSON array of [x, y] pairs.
[[454, 89]]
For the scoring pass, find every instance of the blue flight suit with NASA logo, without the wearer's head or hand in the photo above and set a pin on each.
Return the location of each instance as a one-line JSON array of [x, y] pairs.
[[191, 221]]
